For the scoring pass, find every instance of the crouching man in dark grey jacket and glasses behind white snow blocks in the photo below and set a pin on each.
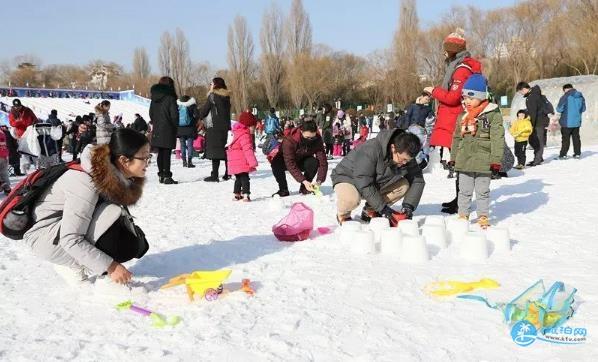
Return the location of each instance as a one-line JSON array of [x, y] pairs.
[[381, 171]]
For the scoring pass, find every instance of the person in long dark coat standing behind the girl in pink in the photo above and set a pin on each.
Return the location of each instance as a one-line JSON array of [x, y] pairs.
[[216, 115]]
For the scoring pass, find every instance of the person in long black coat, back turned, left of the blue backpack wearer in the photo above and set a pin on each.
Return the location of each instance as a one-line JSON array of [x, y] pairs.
[[164, 114]]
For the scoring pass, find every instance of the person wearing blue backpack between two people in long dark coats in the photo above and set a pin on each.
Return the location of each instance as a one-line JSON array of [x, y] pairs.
[[187, 131]]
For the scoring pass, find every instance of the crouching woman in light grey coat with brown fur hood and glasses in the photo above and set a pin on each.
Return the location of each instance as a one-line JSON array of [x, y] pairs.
[[82, 223]]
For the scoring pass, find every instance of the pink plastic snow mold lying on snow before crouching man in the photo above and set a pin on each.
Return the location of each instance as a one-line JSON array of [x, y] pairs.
[[297, 225]]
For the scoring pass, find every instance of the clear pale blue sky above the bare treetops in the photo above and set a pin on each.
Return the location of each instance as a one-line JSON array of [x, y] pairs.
[[75, 31]]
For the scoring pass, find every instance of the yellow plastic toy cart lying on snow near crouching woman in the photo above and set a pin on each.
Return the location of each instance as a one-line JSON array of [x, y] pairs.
[[205, 284]]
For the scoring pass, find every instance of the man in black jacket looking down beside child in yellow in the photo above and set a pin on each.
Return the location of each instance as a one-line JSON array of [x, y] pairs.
[[536, 108]]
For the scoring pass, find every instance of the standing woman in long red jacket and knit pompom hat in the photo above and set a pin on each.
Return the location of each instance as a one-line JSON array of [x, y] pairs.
[[459, 66]]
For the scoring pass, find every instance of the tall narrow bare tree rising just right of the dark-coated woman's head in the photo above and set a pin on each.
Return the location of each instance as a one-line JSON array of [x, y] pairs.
[[240, 54]]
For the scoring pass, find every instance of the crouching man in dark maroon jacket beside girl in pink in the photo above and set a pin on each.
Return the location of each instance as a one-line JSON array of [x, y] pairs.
[[302, 154]]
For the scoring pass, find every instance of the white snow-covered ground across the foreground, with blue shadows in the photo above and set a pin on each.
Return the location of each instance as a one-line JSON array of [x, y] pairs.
[[315, 300]]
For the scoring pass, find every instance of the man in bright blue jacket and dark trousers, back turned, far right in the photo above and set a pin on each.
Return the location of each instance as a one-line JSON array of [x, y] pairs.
[[571, 105]]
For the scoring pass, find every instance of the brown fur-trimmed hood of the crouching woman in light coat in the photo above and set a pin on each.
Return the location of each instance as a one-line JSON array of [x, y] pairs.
[[108, 180]]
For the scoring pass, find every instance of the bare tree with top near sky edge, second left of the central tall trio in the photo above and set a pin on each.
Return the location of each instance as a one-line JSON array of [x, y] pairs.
[[272, 62]]
